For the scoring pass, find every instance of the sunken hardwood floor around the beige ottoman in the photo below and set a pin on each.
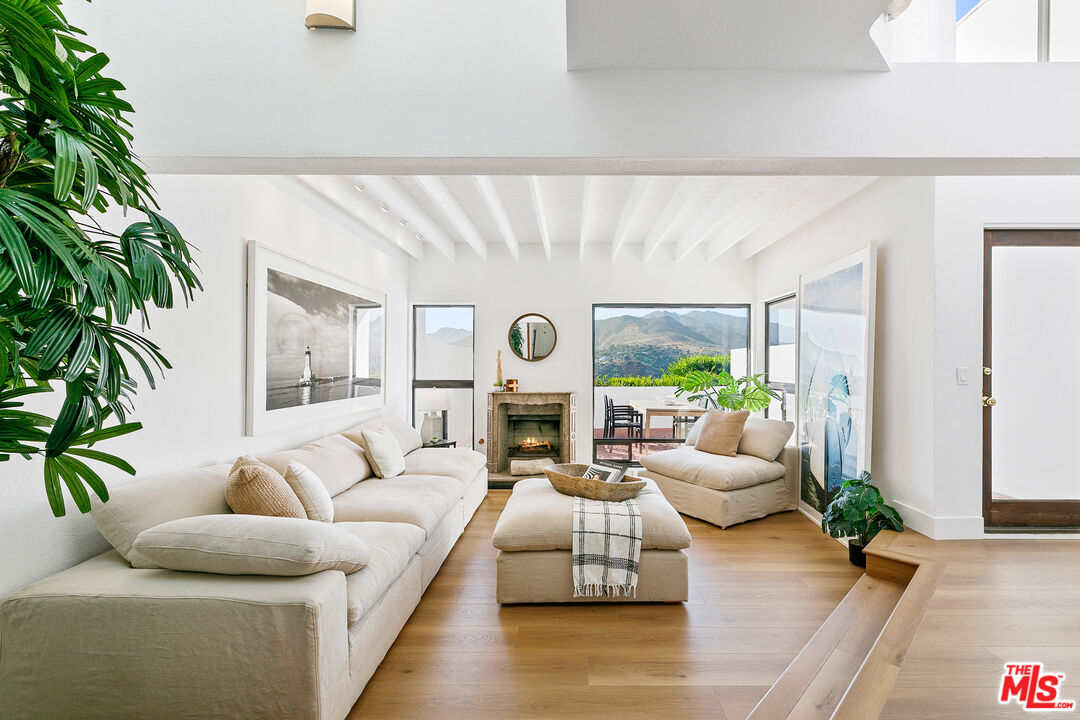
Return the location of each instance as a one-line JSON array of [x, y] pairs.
[[759, 592]]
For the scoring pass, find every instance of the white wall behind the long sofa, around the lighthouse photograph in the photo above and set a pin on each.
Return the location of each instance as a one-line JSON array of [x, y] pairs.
[[197, 415]]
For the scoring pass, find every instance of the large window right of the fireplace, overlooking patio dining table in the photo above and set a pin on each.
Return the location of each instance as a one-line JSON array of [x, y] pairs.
[[641, 352]]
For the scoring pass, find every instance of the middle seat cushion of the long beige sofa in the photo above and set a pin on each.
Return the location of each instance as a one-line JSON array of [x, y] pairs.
[[420, 500]]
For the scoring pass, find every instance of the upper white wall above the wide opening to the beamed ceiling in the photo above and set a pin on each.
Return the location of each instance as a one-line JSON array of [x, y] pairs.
[[242, 86]]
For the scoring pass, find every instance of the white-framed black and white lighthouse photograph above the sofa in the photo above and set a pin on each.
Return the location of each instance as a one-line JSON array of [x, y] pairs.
[[316, 343]]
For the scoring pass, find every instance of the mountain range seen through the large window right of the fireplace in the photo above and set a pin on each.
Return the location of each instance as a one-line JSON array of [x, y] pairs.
[[645, 346]]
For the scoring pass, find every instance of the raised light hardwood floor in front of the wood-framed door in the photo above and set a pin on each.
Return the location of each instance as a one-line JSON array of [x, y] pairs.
[[998, 601]]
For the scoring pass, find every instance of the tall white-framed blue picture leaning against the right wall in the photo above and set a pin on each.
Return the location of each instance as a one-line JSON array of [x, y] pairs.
[[835, 338]]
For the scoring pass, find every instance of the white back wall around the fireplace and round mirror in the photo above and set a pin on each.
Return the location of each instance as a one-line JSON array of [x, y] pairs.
[[564, 291]]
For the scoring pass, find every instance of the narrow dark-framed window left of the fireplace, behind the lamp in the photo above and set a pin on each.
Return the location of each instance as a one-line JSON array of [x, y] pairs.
[[443, 373]]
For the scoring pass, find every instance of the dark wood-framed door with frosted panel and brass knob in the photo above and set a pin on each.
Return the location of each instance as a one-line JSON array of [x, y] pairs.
[[1032, 411]]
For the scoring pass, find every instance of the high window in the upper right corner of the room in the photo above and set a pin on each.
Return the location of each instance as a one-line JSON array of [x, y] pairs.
[[1018, 31]]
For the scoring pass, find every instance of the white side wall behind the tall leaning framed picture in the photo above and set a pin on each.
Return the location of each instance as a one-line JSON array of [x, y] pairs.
[[897, 214]]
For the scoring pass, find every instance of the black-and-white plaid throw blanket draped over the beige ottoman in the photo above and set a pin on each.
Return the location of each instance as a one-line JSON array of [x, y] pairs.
[[607, 546]]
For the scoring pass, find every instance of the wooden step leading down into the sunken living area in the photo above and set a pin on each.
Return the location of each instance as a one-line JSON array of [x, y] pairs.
[[847, 670]]
